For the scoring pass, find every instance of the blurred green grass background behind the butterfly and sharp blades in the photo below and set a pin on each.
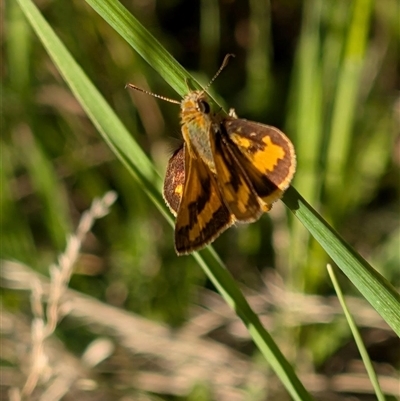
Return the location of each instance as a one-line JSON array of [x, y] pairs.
[[324, 72]]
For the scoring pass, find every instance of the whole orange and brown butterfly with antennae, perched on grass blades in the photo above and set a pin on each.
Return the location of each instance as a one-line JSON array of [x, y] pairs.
[[227, 170]]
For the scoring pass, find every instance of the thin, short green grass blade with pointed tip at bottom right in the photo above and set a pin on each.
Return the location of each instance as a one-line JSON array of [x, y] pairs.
[[357, 337]]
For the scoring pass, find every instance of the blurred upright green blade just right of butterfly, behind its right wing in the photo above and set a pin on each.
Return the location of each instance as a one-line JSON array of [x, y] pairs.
[[306, 123]]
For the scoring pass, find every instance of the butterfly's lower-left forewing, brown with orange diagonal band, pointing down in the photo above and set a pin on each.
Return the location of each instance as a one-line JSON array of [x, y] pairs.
[[202, 214]]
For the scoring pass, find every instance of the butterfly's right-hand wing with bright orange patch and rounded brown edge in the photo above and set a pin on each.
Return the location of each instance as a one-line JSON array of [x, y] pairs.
[[265, 153]]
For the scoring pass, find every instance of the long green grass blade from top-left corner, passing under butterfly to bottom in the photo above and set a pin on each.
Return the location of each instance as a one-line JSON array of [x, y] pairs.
[[116, 135]]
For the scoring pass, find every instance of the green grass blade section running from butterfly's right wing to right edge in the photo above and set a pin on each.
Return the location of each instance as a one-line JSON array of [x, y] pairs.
[[375, 288]]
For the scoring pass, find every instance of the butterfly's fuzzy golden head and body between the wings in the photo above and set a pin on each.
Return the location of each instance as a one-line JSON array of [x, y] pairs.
[[197, 123]]
